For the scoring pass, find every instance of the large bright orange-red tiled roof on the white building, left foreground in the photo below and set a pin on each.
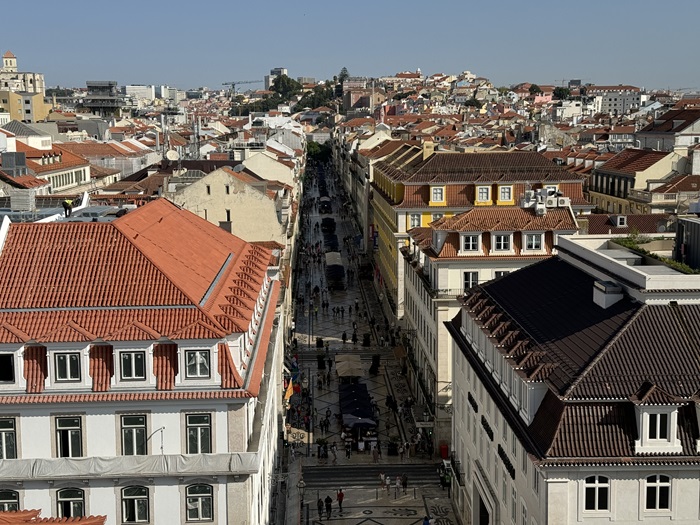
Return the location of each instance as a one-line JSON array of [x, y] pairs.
[[158, 271]]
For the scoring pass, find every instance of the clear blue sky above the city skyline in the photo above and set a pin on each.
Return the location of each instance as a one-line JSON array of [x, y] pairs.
[[650, 44]]
